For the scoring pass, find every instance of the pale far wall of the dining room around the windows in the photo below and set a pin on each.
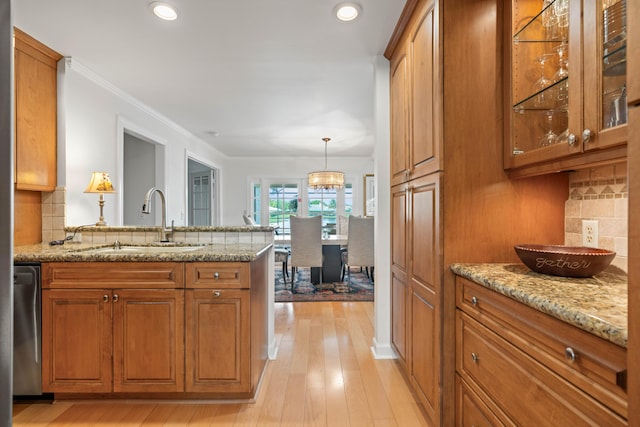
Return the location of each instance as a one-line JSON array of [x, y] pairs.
[[240, 171]]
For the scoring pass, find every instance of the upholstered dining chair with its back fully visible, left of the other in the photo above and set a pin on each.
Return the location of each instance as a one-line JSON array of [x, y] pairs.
[[306, 243]]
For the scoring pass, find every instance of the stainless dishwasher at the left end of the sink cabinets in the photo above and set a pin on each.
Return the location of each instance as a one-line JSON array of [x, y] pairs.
[[27, 339]]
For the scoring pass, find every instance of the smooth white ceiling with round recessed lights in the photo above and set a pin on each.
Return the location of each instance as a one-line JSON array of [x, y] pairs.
[[270, 77]]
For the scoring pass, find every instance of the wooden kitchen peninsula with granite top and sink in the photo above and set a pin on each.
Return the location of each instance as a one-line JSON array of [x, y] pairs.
[[184, 320]]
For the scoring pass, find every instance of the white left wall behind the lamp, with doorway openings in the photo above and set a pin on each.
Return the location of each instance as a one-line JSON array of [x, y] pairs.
[[90, 137]]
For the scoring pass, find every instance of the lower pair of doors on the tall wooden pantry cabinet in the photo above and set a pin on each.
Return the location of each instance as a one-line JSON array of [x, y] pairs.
[[416, 285]]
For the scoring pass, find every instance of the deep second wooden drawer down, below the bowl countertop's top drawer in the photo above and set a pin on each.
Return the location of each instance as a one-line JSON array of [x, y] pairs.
[[525, 390]]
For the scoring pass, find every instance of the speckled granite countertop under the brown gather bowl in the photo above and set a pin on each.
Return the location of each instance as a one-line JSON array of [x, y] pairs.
[[596, 304]]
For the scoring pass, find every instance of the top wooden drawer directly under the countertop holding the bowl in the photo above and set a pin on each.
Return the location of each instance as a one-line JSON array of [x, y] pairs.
[[598, 366]]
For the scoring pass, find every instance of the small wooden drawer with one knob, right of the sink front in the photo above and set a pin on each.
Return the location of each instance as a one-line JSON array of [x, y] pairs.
[[218, 275]]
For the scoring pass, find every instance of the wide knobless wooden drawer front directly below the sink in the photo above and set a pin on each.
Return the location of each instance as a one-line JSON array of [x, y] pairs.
[[113, 275]]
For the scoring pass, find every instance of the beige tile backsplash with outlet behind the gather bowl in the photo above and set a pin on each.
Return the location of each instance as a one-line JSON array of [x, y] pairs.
[[599, 194]]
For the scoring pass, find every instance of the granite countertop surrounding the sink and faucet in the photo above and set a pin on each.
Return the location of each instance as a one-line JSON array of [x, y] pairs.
[[78, 252]]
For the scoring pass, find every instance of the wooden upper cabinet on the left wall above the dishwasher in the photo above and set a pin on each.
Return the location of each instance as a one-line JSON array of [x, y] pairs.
[[35, 114]]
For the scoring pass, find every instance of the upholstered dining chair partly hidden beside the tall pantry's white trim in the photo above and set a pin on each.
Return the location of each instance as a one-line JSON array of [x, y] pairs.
[[360, 247]]
